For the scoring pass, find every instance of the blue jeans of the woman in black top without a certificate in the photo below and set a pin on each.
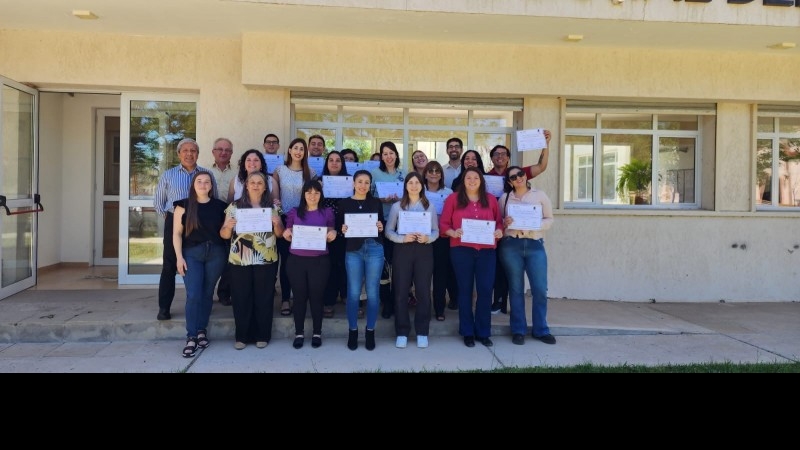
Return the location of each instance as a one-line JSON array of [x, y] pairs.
[[204, 264]]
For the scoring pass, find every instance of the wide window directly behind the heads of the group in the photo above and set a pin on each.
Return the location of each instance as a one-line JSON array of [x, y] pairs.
[[362, 123]]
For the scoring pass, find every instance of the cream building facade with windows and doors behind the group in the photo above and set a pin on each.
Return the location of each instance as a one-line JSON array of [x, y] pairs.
[[701, 92]]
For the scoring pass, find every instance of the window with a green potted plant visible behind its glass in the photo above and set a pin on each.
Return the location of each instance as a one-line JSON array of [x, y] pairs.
[[648, 153]]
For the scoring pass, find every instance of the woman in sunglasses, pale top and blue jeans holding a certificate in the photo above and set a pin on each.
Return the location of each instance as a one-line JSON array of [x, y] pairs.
[[527, 214]]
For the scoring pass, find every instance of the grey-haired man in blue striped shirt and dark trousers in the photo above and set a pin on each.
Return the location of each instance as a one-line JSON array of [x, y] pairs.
[[172, 186]]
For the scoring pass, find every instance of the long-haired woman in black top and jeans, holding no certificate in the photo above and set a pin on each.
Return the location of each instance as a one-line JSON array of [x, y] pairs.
[[201, 254]]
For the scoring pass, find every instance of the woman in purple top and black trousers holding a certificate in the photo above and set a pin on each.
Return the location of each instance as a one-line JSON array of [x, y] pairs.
[[307, 269]]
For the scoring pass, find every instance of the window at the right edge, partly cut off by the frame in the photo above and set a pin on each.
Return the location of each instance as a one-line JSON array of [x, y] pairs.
[[778, 152]]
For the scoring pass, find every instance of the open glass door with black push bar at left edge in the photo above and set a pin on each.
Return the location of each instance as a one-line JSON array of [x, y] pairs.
[[19, 199]]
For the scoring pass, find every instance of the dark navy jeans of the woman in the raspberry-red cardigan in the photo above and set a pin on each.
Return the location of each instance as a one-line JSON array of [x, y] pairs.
[[474, 267]]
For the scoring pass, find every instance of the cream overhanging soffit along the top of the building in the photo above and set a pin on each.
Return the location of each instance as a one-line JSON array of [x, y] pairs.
[[632, 24]]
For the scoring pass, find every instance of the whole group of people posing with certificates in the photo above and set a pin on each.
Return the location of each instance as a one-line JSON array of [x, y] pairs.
[[419, 232]]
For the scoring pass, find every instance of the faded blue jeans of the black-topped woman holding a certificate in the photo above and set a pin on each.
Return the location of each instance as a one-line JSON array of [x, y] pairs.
[[364, 266]]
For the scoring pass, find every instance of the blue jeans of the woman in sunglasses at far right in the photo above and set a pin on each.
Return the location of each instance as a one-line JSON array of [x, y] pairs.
[[521, 257]]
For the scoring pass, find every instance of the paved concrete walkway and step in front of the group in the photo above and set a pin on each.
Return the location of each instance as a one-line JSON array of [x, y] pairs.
[[116, 331]]
